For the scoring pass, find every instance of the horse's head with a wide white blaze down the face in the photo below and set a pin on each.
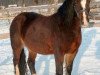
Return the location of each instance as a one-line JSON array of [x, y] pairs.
[[82, 11]]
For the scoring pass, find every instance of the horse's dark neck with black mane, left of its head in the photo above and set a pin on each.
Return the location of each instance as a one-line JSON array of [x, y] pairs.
[[66, 11]]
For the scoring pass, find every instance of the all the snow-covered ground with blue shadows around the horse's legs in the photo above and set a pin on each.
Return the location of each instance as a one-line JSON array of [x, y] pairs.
[[87, 61]]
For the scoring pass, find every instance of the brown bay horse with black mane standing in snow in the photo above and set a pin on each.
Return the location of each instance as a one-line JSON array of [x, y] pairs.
[[58, 34]]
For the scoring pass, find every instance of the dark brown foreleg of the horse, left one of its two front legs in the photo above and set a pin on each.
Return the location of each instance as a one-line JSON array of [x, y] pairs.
[[59, 58]]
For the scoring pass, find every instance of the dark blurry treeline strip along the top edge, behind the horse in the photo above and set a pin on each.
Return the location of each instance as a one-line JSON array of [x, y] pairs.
[[25, 2]]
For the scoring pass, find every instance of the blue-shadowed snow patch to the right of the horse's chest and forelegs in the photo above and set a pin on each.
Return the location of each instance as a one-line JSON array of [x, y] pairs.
[[88, 57]]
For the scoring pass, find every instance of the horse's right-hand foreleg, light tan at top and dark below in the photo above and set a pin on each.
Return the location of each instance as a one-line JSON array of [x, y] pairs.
[[69, 62]]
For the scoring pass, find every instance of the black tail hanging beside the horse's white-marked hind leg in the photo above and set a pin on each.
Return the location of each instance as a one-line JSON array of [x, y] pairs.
[[22, 63]]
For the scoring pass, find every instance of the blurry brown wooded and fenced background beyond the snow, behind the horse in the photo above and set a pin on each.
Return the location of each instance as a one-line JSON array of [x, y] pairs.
[[92, 5]]
